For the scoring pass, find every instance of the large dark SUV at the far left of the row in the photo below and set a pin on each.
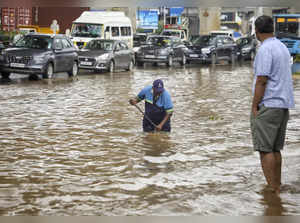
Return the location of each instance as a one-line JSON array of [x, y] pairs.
[[40, 54]]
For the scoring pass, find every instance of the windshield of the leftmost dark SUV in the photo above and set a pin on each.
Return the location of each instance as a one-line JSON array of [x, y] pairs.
[[35, 42]]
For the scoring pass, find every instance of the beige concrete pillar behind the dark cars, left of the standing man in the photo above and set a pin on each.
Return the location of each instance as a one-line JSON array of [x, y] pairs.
[[209, 19]]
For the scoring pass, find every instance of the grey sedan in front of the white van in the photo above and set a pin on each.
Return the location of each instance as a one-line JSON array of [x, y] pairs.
[[101, 54]]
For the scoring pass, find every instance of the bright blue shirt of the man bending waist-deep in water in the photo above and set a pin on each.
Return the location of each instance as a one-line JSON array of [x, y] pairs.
[[164, 101]]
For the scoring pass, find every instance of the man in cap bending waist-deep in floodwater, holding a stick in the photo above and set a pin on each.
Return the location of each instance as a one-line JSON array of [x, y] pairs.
[[158, 107]]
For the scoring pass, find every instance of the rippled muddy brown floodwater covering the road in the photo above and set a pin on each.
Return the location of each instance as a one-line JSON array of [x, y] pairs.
[[74, 146]]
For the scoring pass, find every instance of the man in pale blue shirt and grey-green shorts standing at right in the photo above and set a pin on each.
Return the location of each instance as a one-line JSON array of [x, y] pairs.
[[273, 96]]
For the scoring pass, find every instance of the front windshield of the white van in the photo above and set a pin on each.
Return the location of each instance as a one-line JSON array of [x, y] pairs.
[[87, 30]]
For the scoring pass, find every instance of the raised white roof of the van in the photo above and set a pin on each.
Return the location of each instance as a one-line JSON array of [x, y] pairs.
[[103, 17]]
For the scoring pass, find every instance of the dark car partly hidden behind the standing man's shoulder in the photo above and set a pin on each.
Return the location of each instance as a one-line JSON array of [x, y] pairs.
[[247, 47]]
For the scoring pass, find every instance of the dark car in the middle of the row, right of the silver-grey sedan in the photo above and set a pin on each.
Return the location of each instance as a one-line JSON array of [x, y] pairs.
[[162, 49]]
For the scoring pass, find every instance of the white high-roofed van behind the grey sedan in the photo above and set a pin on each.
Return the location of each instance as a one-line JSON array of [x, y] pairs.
[[101, 24]]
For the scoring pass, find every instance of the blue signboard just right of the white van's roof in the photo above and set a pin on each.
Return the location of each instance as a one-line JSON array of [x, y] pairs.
[[148, 19]]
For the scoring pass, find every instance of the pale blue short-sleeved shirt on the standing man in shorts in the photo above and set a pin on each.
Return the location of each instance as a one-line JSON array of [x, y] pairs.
[[273, 60]]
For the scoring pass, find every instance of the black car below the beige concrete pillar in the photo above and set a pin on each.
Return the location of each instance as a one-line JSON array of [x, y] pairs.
[[211, 49]]
